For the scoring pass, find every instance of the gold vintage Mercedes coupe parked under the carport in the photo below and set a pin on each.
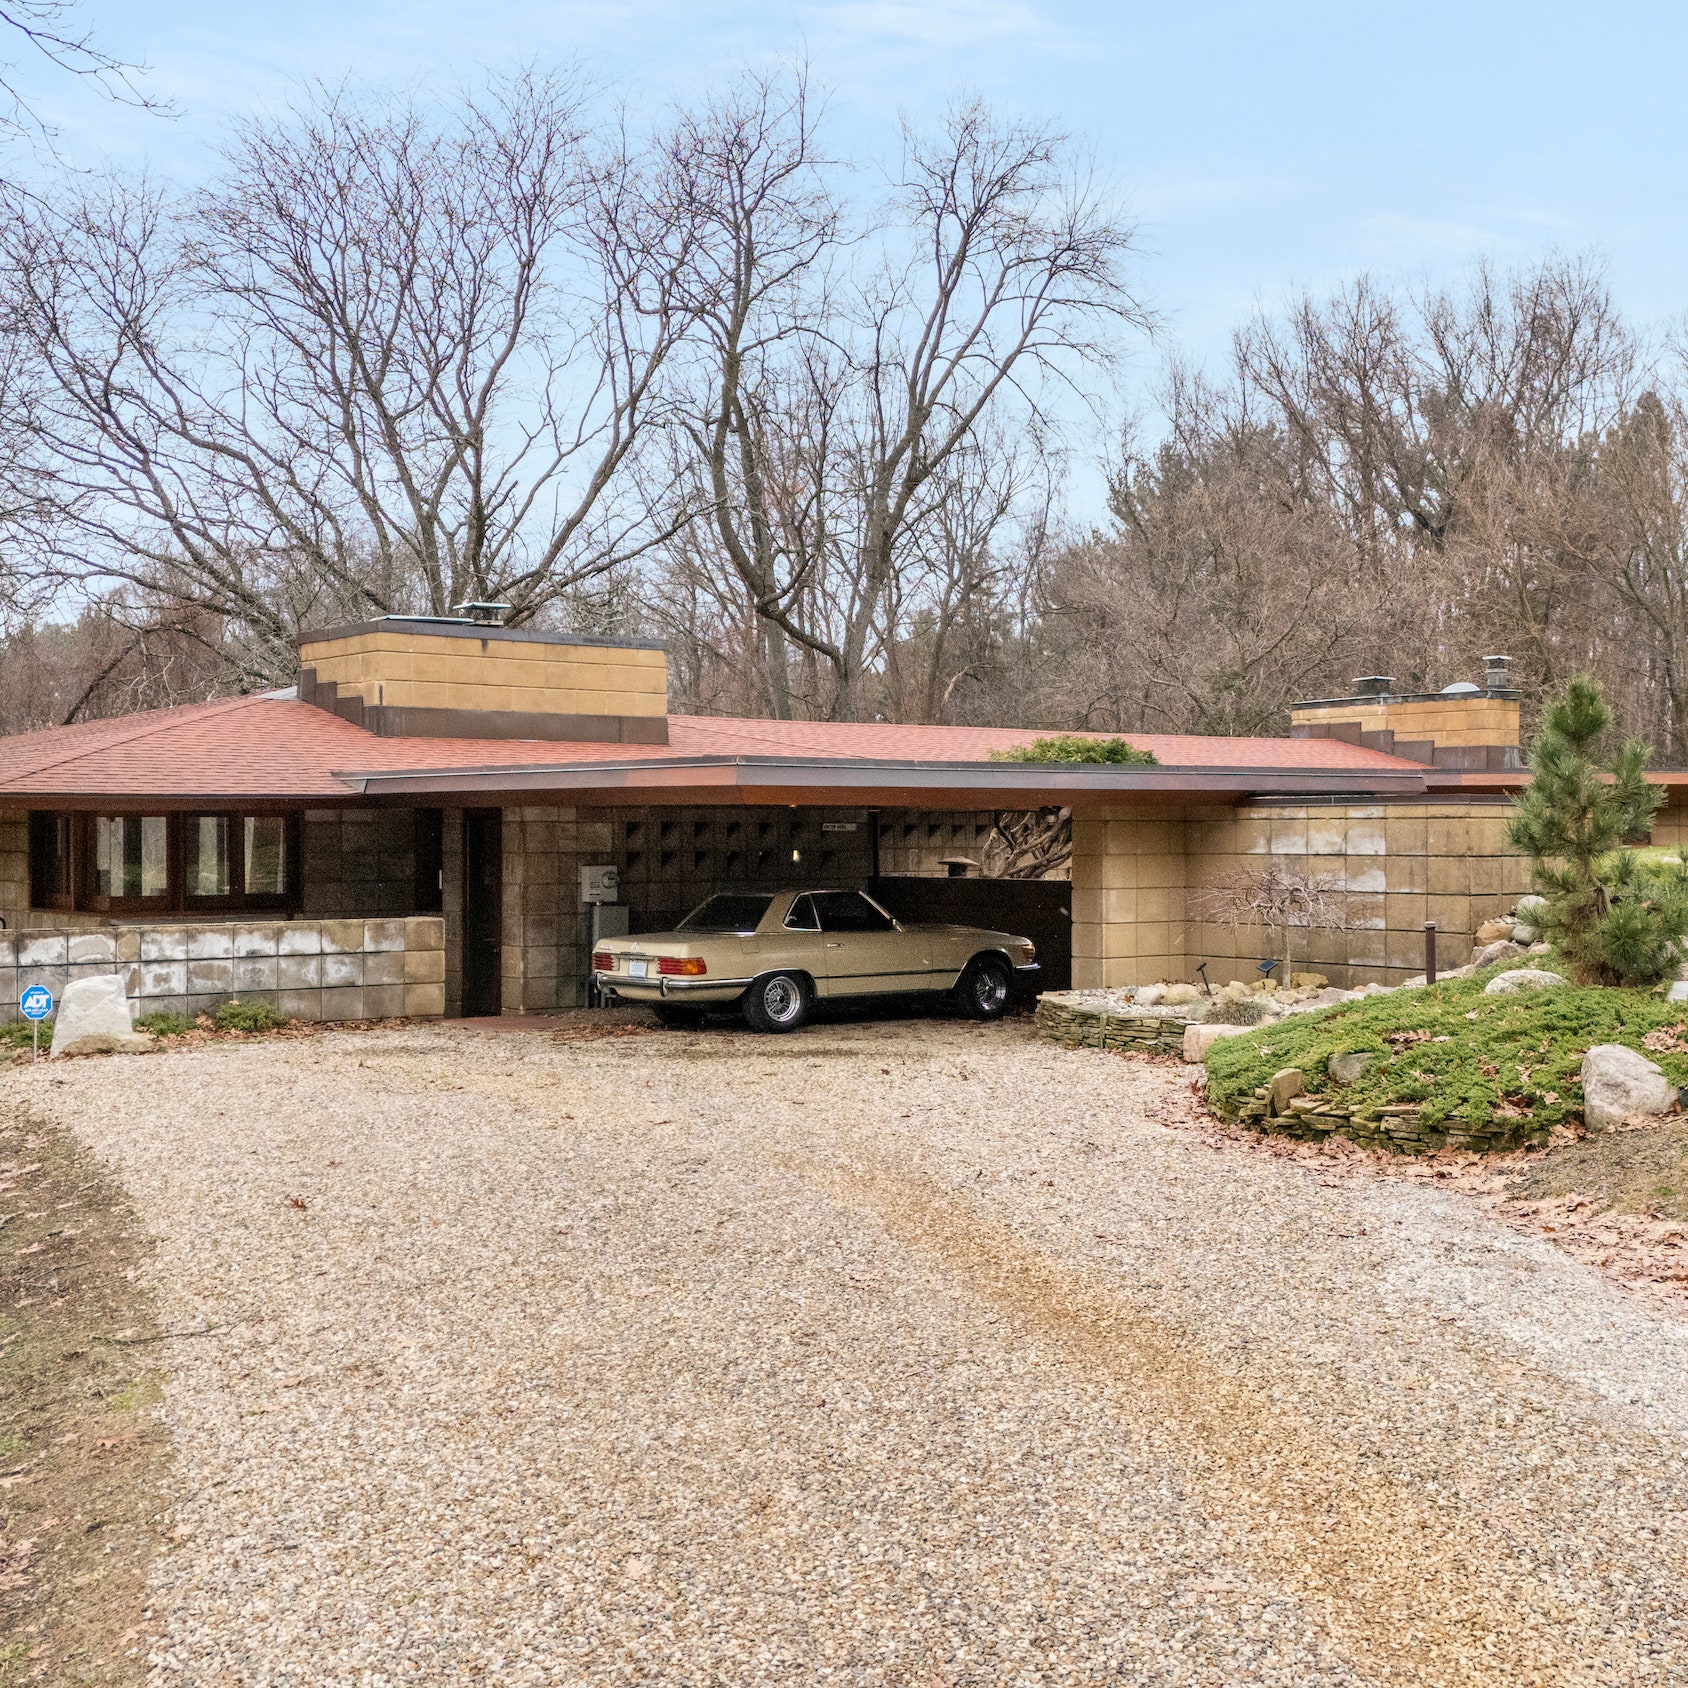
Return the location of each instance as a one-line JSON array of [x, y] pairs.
[[774, 955]]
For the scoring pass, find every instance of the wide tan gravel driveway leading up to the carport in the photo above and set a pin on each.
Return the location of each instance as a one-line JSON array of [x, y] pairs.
[[907, 1353]]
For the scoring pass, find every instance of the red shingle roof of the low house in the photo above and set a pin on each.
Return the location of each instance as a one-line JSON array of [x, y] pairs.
[[279, 749]]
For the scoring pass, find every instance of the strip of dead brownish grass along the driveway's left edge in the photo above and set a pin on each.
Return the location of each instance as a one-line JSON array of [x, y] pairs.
[[84, 1459]]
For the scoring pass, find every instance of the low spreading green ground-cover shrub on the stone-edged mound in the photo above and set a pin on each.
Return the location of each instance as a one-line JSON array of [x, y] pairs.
[[1458, 1054]]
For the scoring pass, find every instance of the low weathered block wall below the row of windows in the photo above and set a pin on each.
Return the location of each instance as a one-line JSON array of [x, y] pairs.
[[308, 970]]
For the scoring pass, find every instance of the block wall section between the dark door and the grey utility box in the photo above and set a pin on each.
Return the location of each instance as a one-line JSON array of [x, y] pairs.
[[544, 924]]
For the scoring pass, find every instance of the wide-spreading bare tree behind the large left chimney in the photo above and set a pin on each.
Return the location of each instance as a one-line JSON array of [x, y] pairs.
[[391, 360]]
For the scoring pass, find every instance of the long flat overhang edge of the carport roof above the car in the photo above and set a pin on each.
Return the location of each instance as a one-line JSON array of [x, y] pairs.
[[863, 781]]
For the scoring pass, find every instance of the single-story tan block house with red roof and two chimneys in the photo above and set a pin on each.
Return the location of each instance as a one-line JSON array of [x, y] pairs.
[[425, 825]]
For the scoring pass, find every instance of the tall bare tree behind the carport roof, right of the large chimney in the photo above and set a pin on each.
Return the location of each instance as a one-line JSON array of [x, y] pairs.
[[853, 391]]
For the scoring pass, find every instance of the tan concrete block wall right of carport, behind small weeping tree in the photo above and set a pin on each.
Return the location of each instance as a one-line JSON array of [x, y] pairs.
[[1392, 867]]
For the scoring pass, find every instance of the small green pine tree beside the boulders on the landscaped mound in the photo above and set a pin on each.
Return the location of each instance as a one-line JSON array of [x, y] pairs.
[[1613, 916]]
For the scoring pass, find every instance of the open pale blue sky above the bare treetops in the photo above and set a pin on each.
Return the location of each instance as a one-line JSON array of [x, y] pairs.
[[1263, 146]]
